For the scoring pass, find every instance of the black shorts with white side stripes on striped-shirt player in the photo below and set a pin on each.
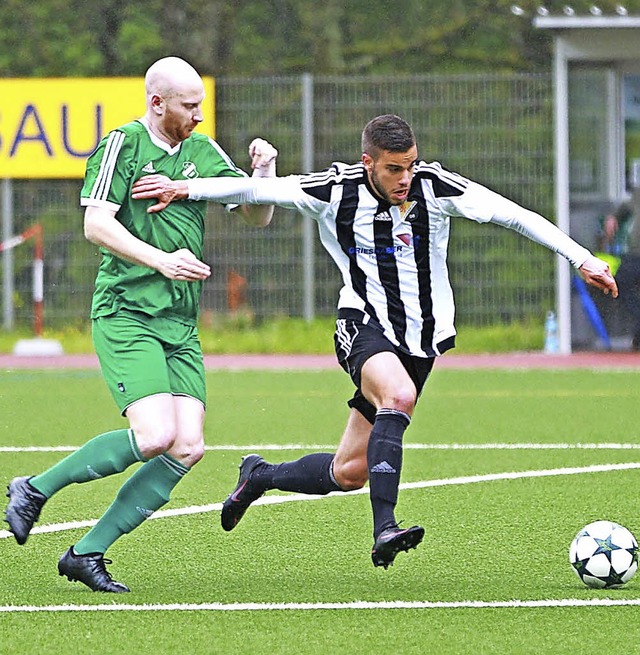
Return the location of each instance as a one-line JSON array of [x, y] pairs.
[[356, 341]]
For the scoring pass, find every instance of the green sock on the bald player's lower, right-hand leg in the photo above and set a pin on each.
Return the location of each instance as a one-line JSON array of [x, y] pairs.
[[147, 490]]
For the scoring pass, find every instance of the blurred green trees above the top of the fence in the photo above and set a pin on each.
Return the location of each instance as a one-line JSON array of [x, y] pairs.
[[274, 37]]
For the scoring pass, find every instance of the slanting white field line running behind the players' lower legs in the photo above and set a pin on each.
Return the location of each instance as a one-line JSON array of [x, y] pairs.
[[276, 499]]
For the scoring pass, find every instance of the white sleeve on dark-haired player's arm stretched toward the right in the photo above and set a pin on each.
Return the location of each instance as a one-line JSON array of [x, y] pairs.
[[484, 205]]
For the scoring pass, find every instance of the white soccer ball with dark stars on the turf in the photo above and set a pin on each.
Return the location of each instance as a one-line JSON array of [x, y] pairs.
[[604, 554]]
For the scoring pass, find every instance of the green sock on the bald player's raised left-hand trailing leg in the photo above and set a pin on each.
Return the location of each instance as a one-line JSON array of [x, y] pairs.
[[106, 454]]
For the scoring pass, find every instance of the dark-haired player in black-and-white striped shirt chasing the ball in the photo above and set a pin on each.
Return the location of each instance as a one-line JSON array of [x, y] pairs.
[[385, 222]]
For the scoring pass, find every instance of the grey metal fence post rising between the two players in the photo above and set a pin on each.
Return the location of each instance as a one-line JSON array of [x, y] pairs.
[[308, 254]]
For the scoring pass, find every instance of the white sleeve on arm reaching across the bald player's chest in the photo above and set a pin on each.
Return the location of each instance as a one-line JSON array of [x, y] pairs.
[[281, 191]]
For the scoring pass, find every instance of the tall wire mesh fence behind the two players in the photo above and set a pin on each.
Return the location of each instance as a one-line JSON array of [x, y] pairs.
[[496, 130]]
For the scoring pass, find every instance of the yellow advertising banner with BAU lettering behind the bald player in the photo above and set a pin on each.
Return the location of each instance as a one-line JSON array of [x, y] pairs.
[[48, 127]]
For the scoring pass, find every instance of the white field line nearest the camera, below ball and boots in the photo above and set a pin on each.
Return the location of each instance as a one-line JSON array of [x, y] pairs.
[[355, 605]]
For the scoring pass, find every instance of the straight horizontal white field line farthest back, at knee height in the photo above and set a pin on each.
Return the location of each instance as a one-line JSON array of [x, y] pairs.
[[407, 446]]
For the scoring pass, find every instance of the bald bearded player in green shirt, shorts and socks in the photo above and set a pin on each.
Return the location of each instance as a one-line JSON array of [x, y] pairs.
[[144, 315]]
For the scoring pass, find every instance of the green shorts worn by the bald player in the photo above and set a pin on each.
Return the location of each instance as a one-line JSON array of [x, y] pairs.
[[141, 356]]
